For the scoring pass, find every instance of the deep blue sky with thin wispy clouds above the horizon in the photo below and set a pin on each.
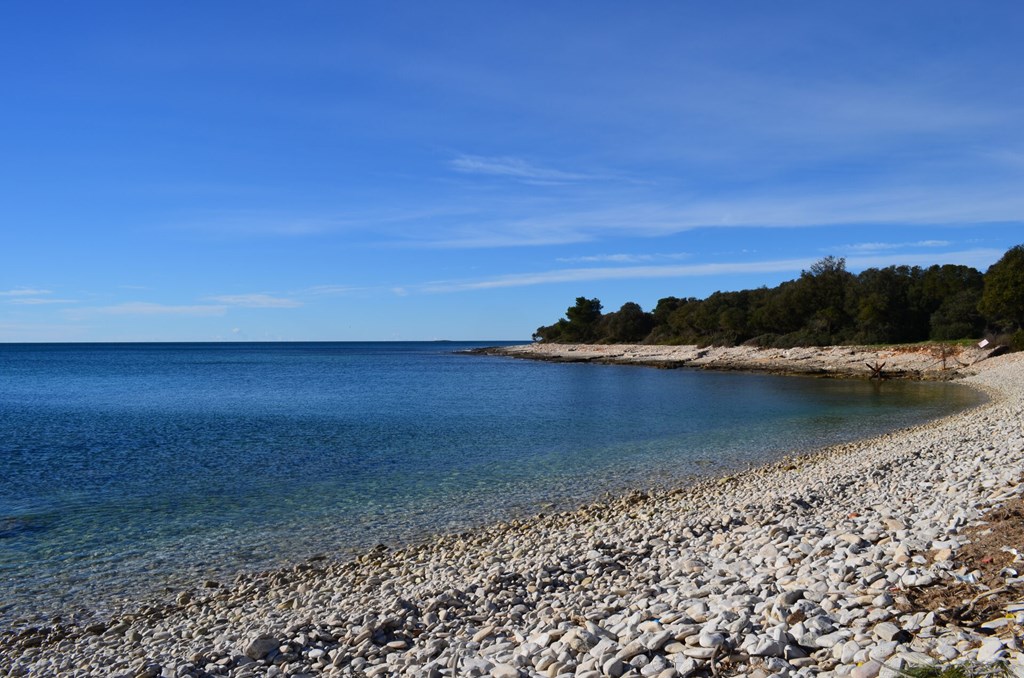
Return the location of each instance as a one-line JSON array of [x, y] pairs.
[[464, 171]]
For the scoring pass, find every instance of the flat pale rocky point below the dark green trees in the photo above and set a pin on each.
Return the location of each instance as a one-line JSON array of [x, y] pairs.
[[907, 362]]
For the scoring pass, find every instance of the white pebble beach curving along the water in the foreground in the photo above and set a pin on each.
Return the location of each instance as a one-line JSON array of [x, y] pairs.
[[848, 562]]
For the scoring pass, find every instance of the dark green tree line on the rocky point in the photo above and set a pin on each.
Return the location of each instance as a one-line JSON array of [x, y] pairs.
[[826, 306]]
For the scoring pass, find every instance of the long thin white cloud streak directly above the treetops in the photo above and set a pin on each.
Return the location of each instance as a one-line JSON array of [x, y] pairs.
[[978, 258]]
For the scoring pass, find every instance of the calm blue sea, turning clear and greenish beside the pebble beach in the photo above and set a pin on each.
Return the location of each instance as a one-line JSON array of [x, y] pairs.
[[131, 470]]
